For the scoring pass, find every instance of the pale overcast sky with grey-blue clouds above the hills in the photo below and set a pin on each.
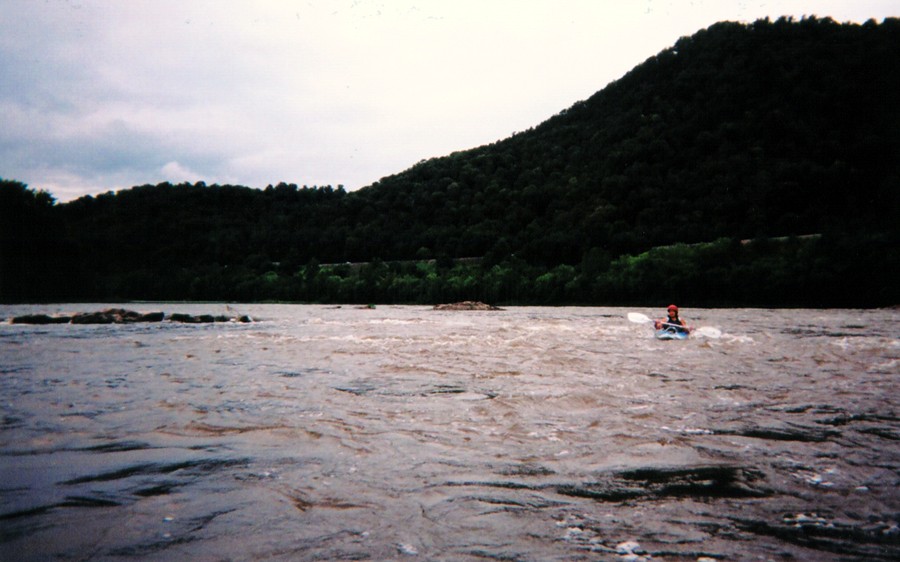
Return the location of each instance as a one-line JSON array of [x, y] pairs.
[[103, 95]]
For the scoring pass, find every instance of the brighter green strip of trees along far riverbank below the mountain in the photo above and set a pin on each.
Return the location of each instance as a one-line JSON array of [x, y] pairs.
[[809, 271]]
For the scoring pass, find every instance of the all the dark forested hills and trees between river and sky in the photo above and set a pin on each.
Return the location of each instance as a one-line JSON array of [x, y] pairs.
[[639, 194]]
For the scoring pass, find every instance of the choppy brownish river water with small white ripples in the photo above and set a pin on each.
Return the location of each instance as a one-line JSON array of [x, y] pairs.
[[405, 433]]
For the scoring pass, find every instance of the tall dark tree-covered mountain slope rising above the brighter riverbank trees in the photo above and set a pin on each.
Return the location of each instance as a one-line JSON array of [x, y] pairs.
[[740, 131]]
